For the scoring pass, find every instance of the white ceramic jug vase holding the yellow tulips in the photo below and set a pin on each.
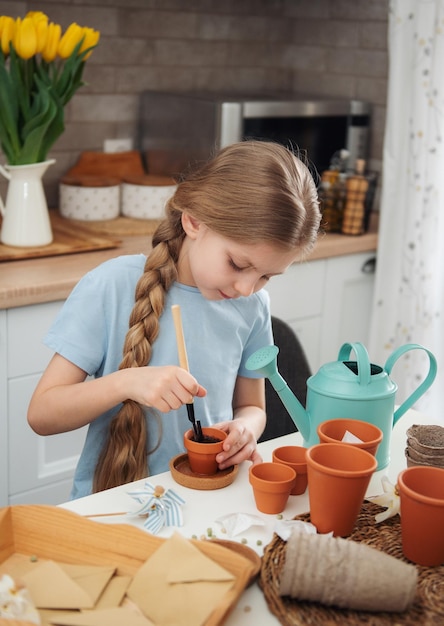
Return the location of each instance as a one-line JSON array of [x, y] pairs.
[[25, 214]]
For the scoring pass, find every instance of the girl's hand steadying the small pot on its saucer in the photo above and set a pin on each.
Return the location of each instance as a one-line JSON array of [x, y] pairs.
[[240, 444]]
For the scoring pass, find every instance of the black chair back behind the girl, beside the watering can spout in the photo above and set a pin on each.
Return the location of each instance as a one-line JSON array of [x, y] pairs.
[[295, 370]]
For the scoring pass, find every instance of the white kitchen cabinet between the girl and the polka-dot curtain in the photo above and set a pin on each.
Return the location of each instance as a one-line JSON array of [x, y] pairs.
[[327, 302]]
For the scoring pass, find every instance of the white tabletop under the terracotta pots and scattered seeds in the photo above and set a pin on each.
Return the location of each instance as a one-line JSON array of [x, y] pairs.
[[202, 508]]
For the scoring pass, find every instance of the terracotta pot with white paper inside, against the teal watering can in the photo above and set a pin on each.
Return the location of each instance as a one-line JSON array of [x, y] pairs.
[[333, 431]]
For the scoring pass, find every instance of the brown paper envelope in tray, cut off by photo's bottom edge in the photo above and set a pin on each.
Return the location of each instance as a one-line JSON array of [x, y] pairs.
[[118, 616]]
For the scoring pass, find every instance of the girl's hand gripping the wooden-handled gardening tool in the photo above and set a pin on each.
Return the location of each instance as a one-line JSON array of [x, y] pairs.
[[163, 388]]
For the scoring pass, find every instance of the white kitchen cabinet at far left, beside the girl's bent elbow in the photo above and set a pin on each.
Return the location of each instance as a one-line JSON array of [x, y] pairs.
[[36, 470]]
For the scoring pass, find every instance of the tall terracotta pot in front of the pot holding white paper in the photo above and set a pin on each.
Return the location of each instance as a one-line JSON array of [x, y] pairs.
[[338, 477]]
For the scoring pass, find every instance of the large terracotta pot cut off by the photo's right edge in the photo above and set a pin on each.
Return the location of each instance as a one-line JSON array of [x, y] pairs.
[[421, 490]]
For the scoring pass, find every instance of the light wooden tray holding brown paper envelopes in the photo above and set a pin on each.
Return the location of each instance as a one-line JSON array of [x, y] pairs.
[[52, 533]]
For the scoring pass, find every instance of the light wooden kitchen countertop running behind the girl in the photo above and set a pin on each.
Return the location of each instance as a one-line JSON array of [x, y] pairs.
[[47, 279]]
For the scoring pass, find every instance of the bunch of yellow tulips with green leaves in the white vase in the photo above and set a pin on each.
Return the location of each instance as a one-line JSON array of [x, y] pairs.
[[37, 80]]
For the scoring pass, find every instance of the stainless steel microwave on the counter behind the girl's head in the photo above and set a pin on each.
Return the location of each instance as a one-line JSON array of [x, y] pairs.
[[179, 129]]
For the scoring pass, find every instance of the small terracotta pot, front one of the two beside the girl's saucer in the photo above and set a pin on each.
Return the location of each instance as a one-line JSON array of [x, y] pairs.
[[272, 483]]
